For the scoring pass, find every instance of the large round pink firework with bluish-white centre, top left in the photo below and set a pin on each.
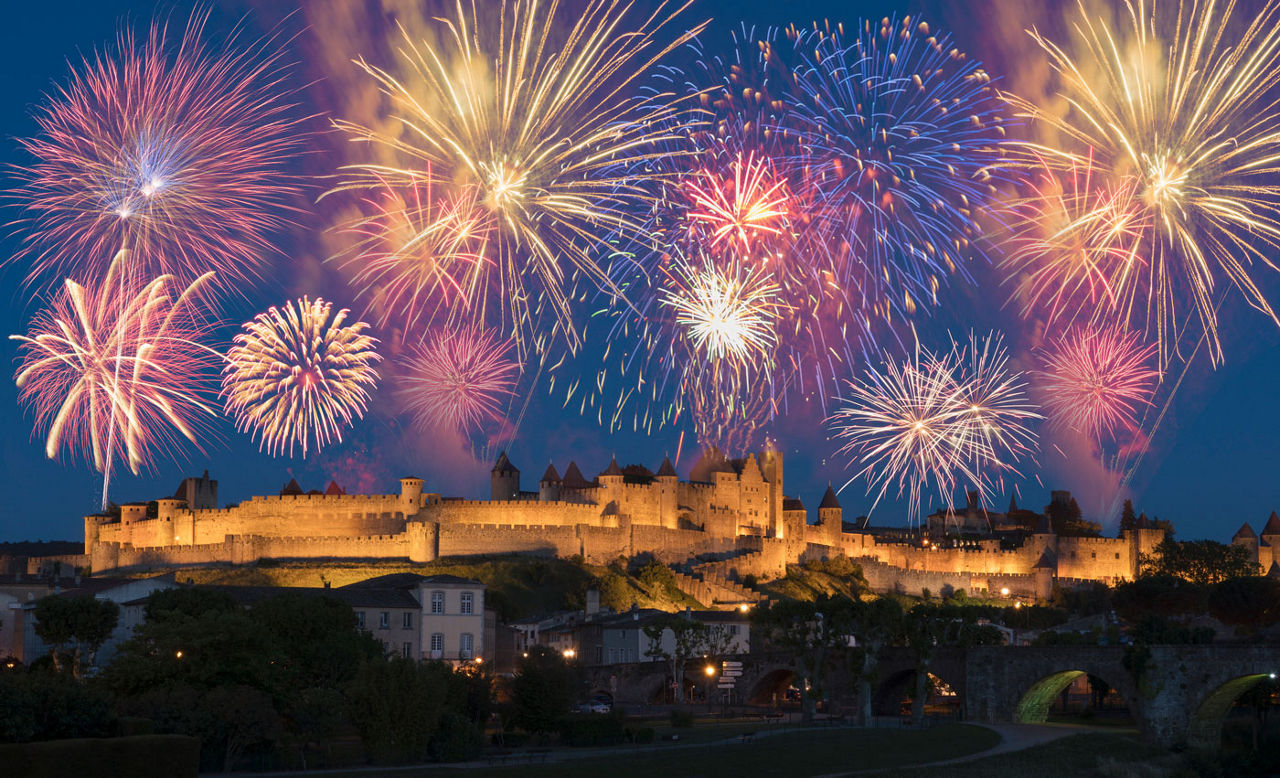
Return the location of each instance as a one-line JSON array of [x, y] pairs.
[[175, 150]]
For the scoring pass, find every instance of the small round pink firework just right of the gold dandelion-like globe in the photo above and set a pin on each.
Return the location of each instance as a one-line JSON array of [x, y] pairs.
[[460, 379]]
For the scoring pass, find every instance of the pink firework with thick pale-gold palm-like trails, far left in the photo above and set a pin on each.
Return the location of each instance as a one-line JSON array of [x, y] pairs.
[[116, 372]]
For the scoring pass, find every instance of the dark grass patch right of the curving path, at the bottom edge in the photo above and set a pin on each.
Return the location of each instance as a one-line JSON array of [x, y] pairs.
[[1078, 756]]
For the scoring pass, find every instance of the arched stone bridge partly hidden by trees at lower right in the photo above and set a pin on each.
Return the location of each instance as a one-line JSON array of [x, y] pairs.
[[1177, 695]]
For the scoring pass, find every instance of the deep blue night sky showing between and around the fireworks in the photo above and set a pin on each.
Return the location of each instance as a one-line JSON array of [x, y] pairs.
[[1213, 464]]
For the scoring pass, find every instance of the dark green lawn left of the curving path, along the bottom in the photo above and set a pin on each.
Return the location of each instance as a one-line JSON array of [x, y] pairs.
[[784, 754]]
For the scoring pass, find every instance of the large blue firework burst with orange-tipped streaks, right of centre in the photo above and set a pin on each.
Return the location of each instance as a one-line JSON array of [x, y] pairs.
[[903, 147]]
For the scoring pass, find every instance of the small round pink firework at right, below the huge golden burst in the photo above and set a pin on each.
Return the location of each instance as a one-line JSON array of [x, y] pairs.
[[1098, 379]]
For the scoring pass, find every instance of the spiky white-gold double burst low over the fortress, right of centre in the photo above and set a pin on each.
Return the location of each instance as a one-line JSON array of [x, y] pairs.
[[936, 423]]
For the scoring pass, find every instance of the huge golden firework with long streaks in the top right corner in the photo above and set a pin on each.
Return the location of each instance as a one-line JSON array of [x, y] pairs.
[[1176, 103]]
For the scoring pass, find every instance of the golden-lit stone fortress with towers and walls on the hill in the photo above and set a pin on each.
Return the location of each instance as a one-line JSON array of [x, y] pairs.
[[730, 520]]
